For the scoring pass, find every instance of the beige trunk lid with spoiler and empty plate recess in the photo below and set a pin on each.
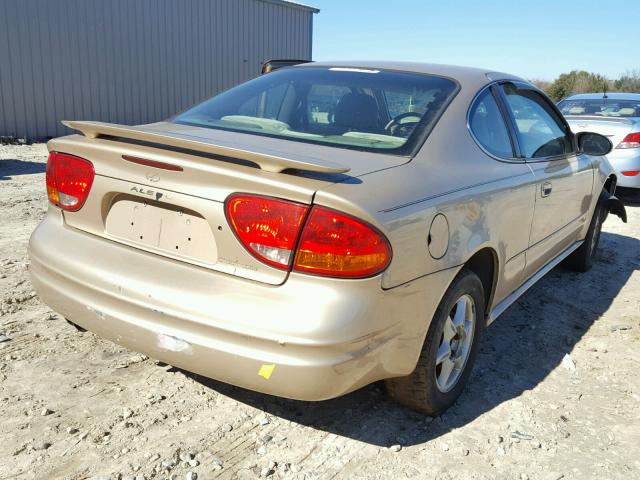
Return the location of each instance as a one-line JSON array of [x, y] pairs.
[[162, 188]]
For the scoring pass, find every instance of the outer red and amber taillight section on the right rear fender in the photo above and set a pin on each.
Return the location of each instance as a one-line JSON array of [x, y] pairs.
[[338, 245]]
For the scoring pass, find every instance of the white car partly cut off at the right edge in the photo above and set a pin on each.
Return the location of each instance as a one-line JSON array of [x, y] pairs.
[[616, 116]]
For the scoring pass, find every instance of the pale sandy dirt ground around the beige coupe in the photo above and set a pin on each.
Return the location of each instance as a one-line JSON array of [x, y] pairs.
[[75, 406]]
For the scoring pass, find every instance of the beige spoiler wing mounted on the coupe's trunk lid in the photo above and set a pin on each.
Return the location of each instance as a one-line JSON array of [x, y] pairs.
[[270, 161]]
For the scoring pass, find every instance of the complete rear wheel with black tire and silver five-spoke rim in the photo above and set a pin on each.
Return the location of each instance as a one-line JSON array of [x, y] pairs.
[[449, 350]]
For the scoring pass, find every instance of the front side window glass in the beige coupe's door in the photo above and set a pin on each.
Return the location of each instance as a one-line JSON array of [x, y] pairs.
[[540, 131]]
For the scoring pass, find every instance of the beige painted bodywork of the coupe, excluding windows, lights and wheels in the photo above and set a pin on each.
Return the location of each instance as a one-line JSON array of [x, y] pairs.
[[225, 315]]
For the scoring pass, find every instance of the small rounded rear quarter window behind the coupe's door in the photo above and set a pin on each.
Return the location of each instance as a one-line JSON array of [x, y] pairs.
[[487, 125]]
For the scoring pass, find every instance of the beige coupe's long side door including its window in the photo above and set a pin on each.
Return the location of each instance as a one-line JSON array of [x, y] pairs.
[[564, 179]]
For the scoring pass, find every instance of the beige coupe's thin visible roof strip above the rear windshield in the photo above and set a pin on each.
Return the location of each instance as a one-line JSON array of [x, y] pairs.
[[459, 73]]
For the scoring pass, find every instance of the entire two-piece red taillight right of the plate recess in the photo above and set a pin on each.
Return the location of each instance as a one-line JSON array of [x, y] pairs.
[[329, 243]]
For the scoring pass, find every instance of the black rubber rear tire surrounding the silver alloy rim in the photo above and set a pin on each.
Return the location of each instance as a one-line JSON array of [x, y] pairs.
[[419, 391]]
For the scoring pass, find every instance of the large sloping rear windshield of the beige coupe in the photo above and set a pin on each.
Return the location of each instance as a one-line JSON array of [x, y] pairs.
[[371, 110]]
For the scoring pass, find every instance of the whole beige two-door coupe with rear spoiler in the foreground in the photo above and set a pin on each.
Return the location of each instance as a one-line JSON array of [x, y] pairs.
[[323, 226]]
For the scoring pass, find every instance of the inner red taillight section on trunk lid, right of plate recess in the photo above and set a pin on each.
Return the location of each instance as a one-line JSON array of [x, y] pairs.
[[267, 227]]
